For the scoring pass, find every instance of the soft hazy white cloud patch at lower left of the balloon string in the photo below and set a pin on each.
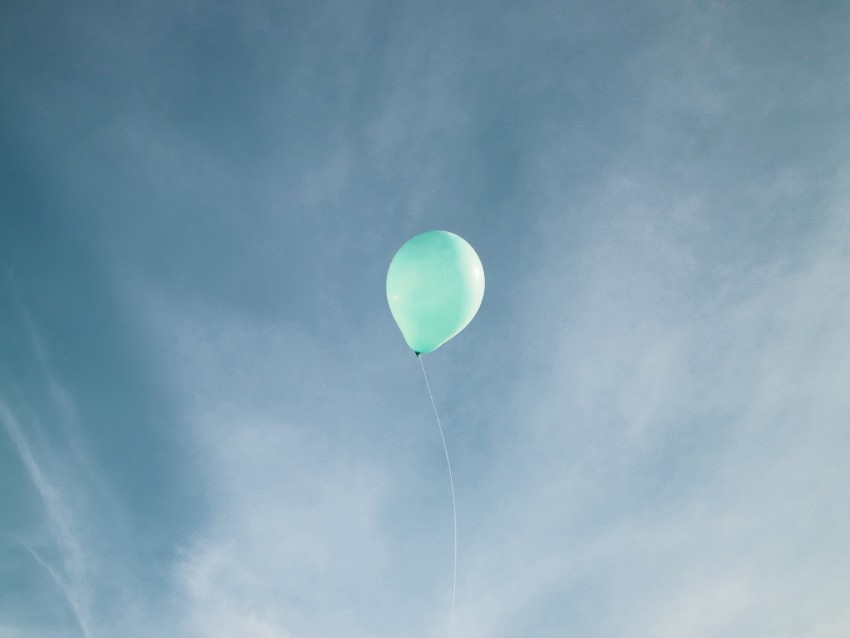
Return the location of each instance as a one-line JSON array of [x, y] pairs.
[[293, 540]]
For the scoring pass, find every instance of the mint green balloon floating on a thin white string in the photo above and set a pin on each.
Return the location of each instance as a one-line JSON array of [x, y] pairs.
[[435, 285]]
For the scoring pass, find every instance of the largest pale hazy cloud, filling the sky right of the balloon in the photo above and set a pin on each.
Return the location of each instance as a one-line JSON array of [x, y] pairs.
[[680, 463]]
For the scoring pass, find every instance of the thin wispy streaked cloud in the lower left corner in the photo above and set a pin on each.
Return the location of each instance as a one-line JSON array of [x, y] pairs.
[[79, 535]]
